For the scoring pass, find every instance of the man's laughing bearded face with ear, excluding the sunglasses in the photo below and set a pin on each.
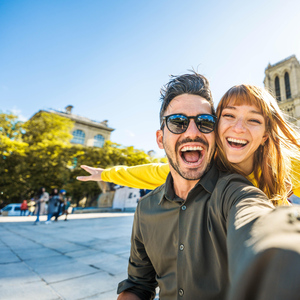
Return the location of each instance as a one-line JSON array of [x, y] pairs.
[[189, 153]]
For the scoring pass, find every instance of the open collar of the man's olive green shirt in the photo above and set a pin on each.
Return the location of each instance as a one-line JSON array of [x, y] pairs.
[[208, 182]]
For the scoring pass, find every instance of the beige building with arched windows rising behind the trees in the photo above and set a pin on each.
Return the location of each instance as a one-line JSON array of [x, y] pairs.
[[86, 131]]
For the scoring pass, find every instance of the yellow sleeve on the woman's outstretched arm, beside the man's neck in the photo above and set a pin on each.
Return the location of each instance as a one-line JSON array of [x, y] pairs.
[[148, 176]]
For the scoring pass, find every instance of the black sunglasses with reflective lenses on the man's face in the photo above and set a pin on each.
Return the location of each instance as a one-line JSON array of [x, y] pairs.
[[179, 123]]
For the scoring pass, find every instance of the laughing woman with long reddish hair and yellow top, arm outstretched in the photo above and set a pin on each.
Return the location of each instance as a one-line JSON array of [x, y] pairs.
[[253, 139]]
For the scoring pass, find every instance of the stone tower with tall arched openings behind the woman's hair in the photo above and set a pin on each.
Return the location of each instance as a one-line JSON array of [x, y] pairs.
[[283, 80]]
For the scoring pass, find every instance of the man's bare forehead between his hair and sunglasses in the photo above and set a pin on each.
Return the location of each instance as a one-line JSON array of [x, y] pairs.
[[189, 104]]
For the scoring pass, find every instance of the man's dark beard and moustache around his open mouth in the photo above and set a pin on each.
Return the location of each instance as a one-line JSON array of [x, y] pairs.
[[190, 175]]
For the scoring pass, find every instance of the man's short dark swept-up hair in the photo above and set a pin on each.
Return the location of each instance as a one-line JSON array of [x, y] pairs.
[[194, 84]]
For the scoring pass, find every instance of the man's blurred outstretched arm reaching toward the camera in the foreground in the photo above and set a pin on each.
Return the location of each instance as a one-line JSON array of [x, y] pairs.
[[263, 250]]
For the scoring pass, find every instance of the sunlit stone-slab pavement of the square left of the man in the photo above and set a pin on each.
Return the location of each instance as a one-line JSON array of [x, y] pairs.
[[83, 258]]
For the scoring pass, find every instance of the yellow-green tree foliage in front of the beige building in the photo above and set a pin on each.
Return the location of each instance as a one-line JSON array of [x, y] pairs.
[[39, 153]]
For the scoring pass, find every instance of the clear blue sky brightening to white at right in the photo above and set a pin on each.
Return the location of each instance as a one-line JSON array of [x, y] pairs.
[[110, 58]]
